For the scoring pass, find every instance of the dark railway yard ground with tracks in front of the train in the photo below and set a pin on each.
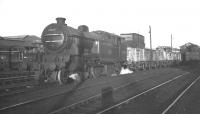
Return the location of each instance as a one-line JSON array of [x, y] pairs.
[[165, 90]]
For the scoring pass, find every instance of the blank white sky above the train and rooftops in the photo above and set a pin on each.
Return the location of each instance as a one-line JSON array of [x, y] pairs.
[[179, 17]]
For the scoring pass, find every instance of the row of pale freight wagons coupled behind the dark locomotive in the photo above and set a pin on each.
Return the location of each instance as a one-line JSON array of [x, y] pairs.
[[140, 59]]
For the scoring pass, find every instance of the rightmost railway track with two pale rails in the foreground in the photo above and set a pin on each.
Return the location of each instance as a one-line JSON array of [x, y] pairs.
[[131, 105]]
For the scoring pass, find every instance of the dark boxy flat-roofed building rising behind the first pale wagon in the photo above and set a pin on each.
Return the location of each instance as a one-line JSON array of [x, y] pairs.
[[134, 40]]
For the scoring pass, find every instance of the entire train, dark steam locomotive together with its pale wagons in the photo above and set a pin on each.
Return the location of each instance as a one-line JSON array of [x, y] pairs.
[[69, 51]]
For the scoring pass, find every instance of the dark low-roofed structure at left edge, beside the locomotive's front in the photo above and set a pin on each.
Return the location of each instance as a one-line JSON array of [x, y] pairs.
[[15, 50]]
